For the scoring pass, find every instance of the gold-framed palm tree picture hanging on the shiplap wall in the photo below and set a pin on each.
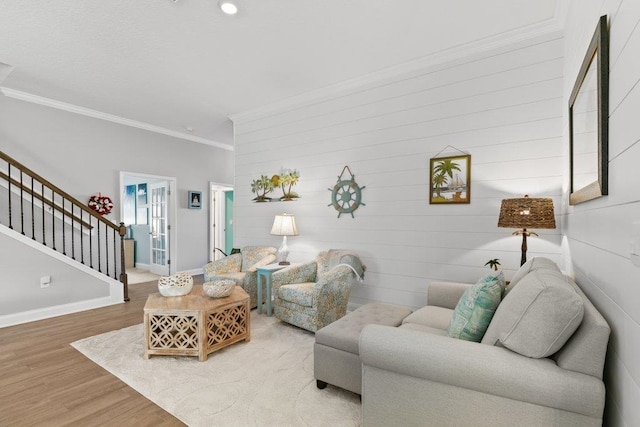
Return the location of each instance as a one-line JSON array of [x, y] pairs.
[[450, 179]]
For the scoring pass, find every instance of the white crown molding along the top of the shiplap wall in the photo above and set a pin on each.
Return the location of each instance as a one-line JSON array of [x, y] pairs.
[[547, 30]]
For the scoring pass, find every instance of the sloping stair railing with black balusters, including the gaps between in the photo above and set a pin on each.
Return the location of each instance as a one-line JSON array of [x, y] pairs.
[[37, 209]]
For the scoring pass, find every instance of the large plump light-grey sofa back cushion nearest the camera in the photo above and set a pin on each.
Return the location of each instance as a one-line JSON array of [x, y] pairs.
[[538, 316]]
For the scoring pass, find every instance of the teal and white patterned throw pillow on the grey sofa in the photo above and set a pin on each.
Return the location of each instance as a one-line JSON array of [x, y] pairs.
[[476, 307]]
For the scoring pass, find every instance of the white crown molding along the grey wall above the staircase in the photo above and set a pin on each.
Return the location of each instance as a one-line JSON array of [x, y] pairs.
[[52, 103]]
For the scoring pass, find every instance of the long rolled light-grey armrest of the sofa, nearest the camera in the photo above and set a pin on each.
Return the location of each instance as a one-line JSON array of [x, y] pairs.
[[481, 368]]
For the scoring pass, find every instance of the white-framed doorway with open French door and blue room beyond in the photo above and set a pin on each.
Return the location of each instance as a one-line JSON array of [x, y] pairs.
[[148, 209]]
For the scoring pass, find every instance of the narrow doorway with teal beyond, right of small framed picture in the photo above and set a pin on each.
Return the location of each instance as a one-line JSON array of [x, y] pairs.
[[220, 220]]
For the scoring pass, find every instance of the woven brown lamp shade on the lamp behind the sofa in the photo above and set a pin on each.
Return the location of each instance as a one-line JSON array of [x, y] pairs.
[[527, 212]]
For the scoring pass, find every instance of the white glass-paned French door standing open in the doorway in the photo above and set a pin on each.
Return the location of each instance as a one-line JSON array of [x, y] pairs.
[[160, 260]]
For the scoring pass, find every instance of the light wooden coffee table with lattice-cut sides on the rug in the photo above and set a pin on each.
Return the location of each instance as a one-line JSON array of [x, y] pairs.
[[195, 324]]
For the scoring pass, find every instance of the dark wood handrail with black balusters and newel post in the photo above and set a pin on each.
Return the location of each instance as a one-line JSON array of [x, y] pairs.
[[70, 221]]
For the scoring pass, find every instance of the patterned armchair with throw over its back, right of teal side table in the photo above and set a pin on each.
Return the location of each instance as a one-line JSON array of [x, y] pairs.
[[316, 293]]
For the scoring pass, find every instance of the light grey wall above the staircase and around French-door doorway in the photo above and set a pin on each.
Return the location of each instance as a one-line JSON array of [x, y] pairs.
[[84, 156]]
